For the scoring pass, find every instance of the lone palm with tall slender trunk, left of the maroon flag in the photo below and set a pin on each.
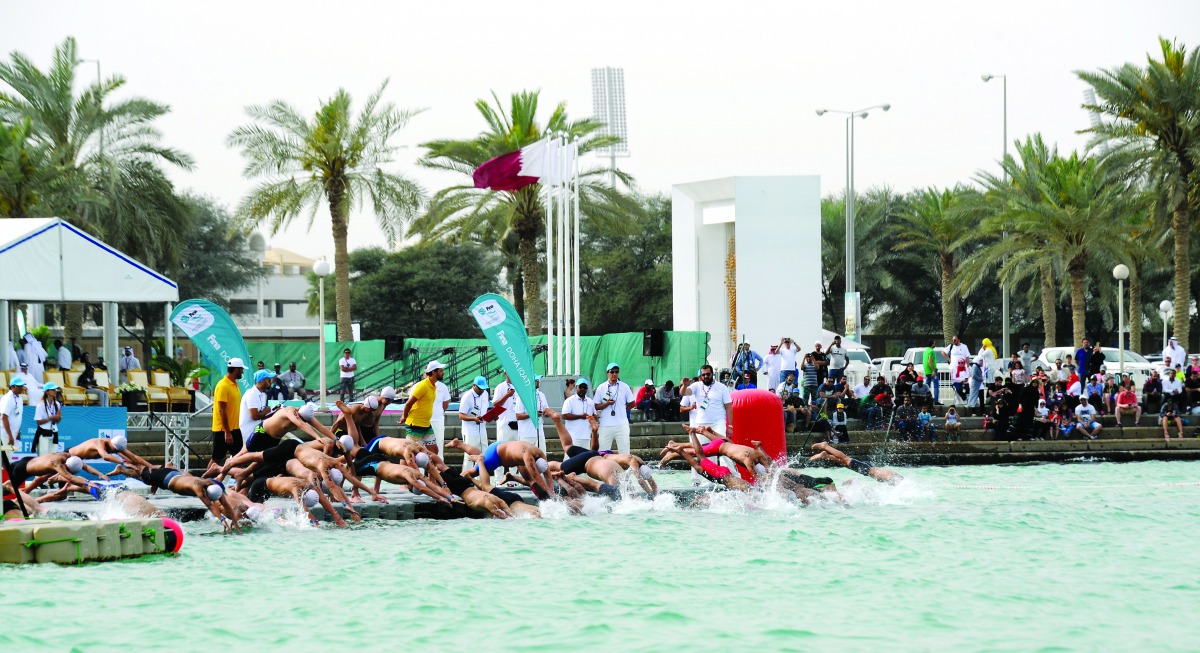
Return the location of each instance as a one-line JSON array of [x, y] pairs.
[[338, 159]]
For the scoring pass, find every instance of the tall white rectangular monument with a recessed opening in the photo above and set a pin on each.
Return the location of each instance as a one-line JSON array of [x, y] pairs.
[[772, 226]]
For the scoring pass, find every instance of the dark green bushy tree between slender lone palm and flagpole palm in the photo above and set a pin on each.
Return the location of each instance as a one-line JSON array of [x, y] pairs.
[[423, 291]]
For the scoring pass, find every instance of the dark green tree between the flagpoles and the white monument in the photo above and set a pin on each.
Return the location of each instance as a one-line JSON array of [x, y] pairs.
[[626, 279]]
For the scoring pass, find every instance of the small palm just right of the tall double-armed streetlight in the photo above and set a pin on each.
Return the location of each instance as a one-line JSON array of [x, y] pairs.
[[935, 223]]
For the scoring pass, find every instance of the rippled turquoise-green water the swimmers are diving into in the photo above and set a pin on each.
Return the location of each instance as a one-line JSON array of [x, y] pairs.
[[1088, 558]]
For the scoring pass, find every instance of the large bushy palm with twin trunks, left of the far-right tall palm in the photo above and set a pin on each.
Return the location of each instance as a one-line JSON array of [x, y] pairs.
[[1058, 213]]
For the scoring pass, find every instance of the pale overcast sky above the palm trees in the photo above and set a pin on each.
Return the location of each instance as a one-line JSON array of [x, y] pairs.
[[713, 89]]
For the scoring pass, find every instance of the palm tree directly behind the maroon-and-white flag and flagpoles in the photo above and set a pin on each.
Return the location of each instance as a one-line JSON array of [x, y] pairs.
[[459, 212]]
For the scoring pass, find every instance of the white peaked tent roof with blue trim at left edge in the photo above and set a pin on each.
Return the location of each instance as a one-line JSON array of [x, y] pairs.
[[49, 260]]
